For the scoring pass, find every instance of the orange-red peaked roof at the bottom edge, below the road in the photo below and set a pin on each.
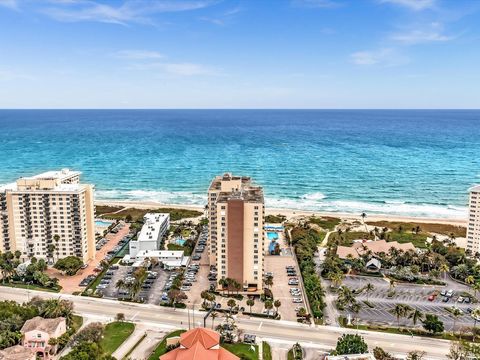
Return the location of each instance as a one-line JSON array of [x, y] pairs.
[[199, 344]]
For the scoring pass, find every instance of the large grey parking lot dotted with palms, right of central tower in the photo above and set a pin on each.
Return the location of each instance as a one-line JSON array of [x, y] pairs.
[[416, 296]]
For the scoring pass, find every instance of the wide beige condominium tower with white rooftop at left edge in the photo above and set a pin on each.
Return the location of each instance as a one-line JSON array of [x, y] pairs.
[[52, 208]]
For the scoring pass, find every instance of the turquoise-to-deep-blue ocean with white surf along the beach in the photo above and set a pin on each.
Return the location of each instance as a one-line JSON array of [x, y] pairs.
[[401, 162]]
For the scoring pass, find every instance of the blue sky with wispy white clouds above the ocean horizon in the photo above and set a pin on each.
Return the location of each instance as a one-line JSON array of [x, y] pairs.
[[240, 54]]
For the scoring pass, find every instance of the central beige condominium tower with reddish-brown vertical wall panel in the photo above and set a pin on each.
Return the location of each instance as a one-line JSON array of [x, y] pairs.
[[236, 217]]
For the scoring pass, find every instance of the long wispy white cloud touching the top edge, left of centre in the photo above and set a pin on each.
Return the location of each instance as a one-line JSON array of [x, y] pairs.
[[127, 12]]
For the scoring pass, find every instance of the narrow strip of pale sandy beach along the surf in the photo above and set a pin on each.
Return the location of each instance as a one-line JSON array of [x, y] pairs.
[[290, 213]]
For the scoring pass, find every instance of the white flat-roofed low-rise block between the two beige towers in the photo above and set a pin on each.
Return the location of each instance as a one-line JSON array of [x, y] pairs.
[[150, 236]]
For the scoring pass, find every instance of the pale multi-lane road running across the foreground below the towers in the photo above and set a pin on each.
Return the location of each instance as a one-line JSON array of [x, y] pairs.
[[322, 337]]
